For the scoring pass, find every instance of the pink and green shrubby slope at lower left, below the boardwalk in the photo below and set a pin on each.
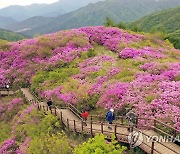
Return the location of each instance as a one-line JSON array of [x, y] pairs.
[[22, 127]]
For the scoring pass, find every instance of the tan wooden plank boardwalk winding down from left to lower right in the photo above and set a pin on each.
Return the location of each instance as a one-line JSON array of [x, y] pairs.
[[73, 122]]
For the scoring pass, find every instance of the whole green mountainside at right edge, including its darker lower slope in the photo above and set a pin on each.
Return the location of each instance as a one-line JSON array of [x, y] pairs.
[[166, 21]]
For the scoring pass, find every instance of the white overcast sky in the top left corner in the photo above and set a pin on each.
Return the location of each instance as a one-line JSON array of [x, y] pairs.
[[4, 3]]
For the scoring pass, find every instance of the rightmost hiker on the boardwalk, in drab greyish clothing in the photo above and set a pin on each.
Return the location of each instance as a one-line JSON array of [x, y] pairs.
[[131, 117]]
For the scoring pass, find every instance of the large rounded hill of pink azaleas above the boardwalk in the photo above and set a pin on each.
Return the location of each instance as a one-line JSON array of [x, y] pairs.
[[99, 67]]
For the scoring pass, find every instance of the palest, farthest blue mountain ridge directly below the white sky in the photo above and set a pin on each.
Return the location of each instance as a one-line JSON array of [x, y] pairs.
[[23, 12]]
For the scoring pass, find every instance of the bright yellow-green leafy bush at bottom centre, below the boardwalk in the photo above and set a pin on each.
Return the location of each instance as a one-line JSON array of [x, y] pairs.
[[98, 145]]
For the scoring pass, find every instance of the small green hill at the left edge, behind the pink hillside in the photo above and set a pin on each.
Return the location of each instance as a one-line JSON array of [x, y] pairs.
[[10, 36]]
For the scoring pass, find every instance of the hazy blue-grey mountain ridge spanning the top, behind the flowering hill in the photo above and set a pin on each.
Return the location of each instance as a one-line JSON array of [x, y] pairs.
[[89, 15]]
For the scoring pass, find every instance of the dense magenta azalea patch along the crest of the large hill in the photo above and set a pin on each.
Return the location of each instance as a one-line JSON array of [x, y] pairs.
[[109, 37]]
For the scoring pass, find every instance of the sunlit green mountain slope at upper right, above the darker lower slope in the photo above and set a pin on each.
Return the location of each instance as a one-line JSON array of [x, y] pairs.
[[168, 20]]
